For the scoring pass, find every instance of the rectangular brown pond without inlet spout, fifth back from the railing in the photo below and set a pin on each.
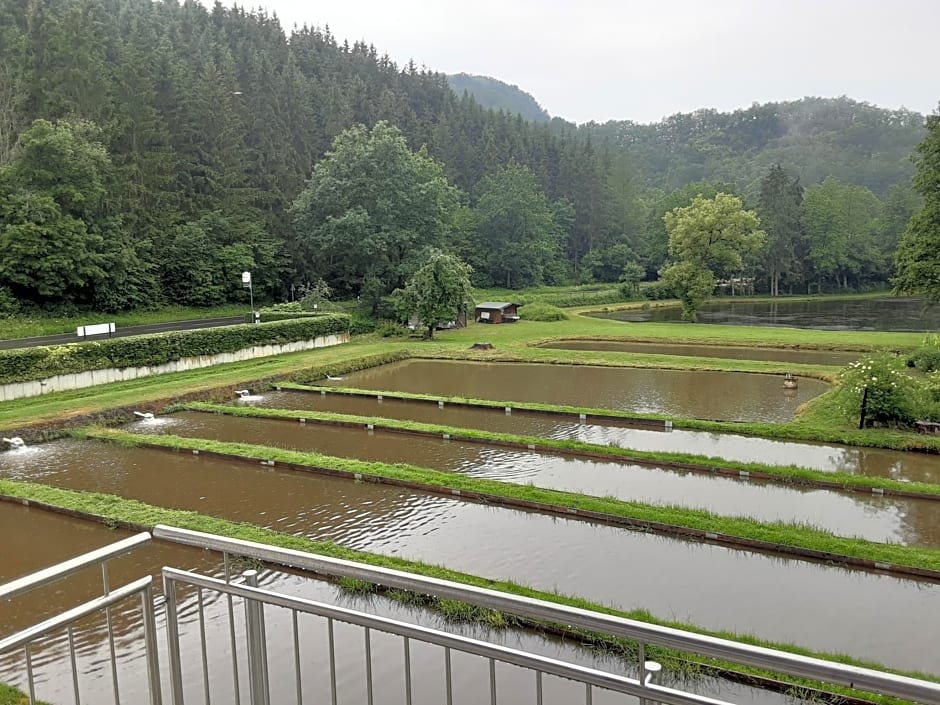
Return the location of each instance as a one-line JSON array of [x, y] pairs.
[[726, 396]]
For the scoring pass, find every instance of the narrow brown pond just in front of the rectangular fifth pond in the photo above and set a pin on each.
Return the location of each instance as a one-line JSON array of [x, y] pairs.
[[913, 467]]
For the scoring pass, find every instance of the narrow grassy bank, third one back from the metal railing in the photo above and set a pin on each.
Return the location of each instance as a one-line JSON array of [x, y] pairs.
[[787, 475]]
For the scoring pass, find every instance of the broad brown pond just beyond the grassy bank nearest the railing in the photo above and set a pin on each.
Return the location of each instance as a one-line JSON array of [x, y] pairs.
[[891, 620]]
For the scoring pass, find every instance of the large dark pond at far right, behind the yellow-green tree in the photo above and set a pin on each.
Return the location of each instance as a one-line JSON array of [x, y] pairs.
[[886, 314]]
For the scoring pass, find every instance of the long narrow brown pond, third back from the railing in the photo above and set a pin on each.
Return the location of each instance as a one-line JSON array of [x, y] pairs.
[[906, 521]]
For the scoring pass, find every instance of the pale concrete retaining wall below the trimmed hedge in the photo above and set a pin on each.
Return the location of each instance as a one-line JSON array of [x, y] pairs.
[[92, 378]]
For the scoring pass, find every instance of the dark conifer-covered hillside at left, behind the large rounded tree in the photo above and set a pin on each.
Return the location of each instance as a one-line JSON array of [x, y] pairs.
[[181, 135]]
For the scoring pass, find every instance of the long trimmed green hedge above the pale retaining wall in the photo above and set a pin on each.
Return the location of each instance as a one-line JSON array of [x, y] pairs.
[[28, 364]]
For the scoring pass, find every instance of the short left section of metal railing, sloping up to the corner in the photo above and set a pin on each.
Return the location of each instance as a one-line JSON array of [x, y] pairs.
[[26, 638]]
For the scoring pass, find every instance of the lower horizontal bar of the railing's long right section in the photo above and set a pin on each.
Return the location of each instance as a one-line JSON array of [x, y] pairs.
[[582, 674]]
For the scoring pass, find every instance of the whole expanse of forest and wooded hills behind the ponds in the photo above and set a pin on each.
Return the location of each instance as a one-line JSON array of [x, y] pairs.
[[151, 151]]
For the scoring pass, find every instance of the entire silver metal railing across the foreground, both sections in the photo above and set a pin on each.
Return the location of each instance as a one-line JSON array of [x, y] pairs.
[[248, 652]]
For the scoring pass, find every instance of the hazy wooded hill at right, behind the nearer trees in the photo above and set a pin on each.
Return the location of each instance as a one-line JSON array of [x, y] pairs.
[[814, 138]]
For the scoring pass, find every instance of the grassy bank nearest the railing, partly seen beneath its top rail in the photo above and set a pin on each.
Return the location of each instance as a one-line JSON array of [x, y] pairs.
[[125, 513]]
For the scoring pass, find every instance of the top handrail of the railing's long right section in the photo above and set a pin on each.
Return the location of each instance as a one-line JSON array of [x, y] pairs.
[[714, 647]]
